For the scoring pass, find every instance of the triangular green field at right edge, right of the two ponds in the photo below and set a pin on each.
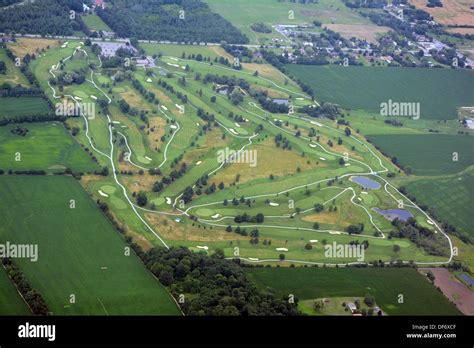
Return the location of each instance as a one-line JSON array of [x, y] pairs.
[[449, 197]]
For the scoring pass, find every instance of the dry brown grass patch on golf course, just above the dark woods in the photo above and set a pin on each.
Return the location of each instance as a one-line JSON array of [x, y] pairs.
[[172, 230]]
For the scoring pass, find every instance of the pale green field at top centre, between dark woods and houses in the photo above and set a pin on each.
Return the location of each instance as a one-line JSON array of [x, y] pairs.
[[243, 13]]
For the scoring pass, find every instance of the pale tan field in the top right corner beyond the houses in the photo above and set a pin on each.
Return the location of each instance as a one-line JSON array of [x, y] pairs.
[[453, 12]]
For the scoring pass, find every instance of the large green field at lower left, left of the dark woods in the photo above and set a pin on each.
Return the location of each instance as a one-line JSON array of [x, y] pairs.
[[87, 253]]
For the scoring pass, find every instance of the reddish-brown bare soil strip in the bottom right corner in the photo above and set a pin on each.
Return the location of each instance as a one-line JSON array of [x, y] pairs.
[[453, 289]]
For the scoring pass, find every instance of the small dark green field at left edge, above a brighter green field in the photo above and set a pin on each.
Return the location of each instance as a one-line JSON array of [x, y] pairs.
[[12, 107]]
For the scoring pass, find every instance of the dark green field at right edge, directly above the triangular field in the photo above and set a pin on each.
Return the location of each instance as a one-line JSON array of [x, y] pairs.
[[428, 154]]
